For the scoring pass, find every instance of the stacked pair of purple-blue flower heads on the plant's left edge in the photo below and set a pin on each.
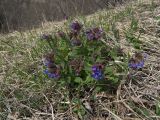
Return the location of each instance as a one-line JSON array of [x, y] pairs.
[[53, 71]]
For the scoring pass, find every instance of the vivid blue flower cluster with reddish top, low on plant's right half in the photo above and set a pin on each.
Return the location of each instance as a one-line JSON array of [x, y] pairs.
[[97, 72]]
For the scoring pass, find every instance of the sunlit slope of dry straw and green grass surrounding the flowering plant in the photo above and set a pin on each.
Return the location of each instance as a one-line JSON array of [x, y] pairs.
[[21, 96]]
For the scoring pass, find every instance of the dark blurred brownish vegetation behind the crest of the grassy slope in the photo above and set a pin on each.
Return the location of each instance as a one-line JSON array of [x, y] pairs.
[[26, 14]]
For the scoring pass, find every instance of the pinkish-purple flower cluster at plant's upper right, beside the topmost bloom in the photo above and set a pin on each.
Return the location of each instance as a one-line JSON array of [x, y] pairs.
[[94, 33]]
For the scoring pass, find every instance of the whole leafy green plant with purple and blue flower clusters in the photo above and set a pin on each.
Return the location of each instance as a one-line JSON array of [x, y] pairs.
[[79, 59]]
